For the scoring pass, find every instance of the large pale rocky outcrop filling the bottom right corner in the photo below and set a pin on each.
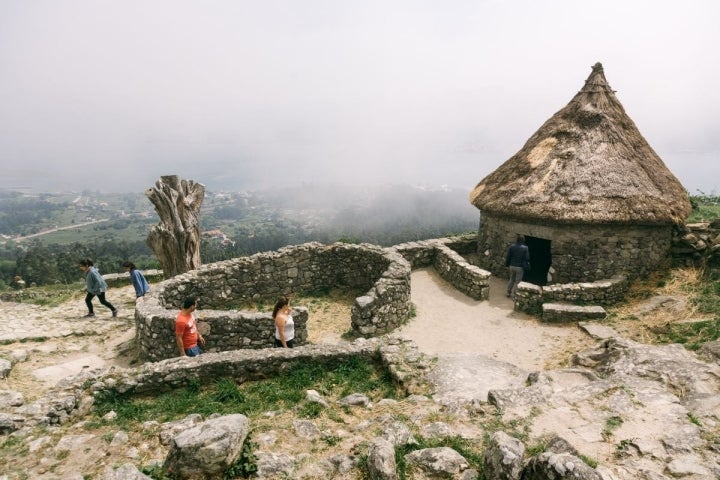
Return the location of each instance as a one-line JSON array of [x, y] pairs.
[[644, 409]]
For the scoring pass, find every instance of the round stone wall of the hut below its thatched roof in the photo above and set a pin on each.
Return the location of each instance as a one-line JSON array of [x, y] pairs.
[[580, 253]]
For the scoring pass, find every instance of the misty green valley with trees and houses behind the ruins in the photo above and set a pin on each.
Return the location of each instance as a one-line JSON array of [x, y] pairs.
[[42, 236]]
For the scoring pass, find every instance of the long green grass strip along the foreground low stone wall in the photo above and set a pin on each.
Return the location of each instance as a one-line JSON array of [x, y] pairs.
[[224, 396]]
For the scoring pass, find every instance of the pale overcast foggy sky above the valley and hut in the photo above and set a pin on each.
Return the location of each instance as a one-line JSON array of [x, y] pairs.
[[110, 95]]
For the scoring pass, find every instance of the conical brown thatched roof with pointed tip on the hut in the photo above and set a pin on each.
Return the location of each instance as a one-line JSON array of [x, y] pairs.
[[586, 164]]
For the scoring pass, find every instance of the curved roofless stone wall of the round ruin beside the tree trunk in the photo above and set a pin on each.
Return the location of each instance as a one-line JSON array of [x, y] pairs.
[[223, 288]]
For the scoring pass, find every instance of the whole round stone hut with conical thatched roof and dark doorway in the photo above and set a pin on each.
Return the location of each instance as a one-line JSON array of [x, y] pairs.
[[587, 191]]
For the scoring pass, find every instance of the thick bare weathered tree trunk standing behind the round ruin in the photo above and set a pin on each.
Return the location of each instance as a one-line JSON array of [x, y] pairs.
[[176, 239]]
